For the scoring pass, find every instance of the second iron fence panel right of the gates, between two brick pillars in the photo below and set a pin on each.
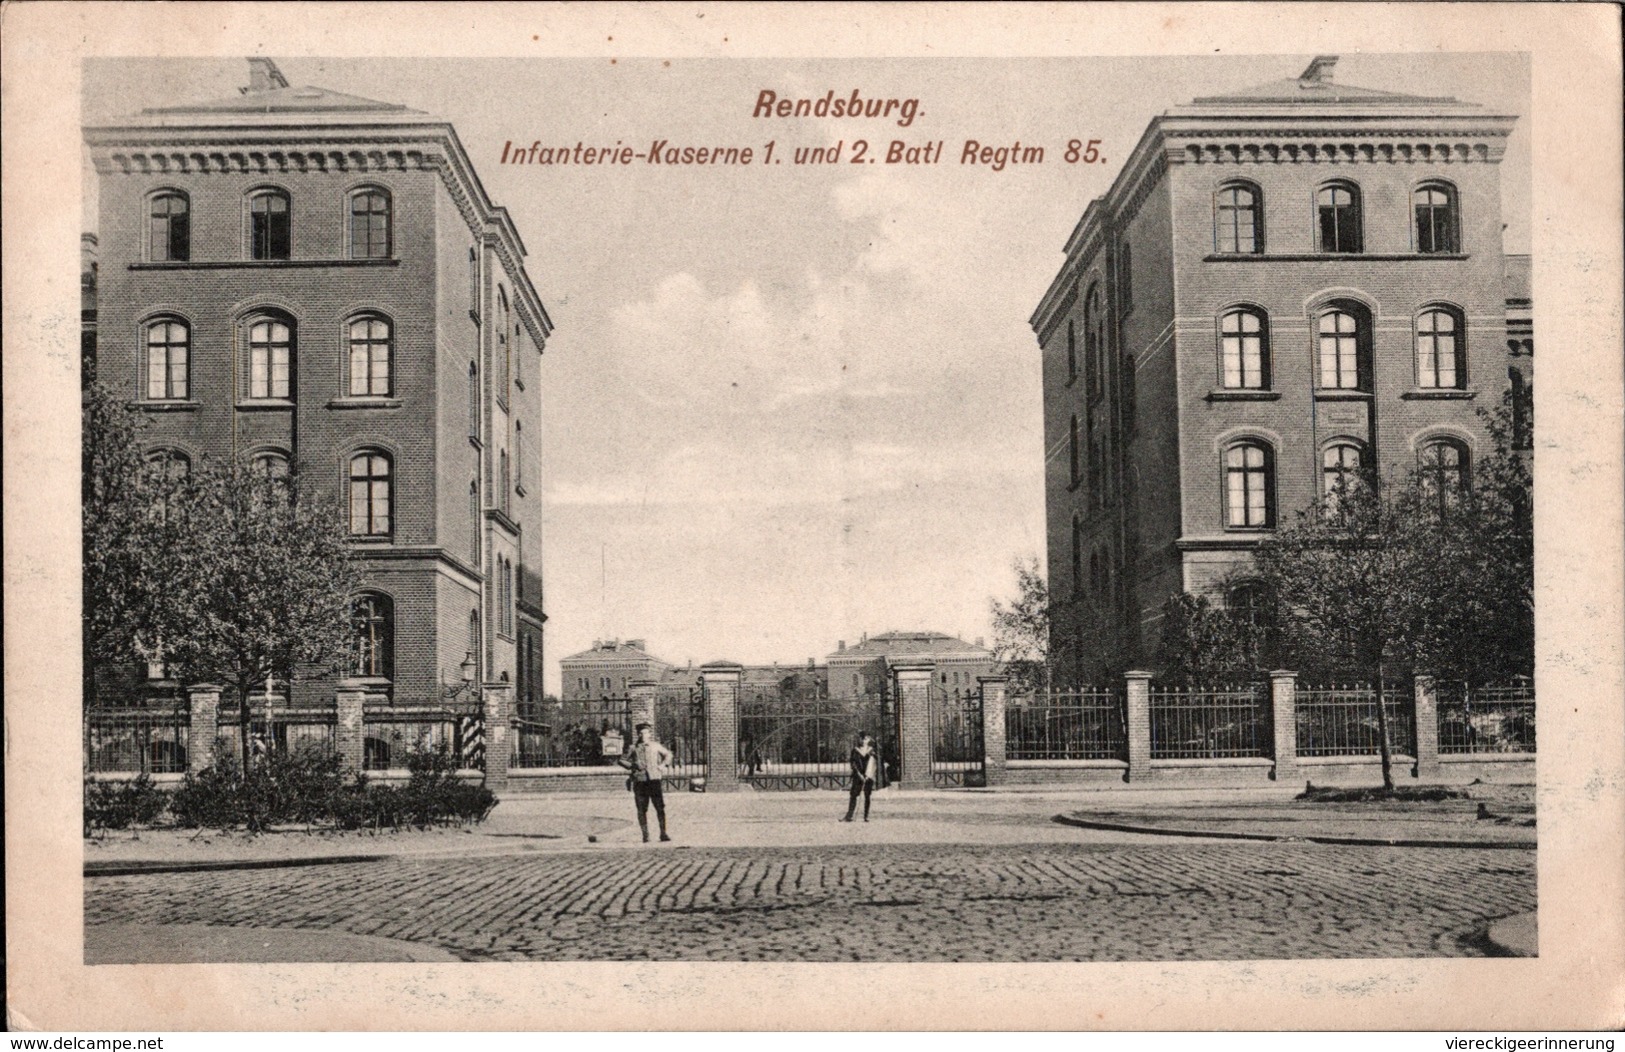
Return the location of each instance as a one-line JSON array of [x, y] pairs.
[[1211, 723]]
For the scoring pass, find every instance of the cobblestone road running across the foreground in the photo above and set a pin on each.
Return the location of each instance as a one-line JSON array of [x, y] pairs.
[[1046, 902]]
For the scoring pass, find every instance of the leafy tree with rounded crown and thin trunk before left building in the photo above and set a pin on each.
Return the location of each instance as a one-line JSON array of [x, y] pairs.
[[274, 585]]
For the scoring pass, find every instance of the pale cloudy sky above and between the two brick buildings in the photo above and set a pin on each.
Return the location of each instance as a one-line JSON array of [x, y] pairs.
[[787, 406]]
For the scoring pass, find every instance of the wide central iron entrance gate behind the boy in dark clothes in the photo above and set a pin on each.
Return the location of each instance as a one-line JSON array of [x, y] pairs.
[[800, 741]]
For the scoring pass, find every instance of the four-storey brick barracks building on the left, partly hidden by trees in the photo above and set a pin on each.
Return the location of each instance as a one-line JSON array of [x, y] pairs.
[[300, 277]]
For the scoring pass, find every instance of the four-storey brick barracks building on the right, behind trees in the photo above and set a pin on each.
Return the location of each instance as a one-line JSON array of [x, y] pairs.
[[1281, 287]]
